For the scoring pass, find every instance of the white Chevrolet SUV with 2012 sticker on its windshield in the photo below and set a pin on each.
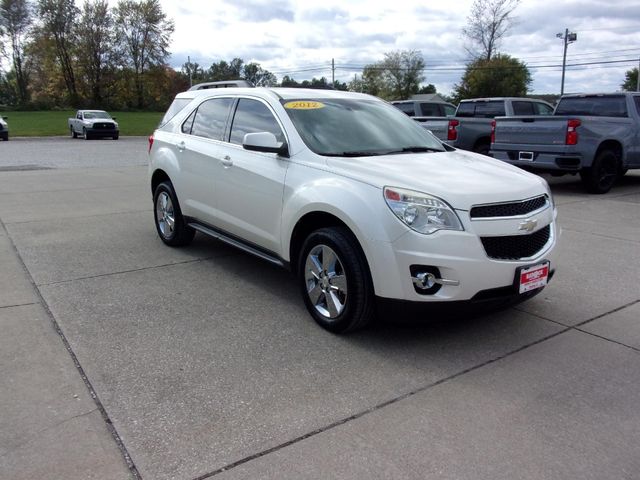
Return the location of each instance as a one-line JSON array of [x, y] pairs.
[[360, 202]]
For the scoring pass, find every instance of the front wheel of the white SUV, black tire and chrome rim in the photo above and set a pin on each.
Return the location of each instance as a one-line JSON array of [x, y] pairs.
[[335, 280]]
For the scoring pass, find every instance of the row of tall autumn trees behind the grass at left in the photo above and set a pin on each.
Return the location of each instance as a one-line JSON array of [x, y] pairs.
[[95, 55]]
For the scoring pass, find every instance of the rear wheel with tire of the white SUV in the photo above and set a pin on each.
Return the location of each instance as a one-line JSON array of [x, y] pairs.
[[169, 221]]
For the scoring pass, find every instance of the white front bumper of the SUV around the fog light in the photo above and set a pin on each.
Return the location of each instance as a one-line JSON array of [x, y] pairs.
[[460, 258]]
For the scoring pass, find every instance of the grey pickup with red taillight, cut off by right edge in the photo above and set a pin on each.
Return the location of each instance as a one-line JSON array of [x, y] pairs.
[[595, 135]]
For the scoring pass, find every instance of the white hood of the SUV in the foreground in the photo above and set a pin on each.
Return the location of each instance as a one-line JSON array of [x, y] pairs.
[[460, 178]]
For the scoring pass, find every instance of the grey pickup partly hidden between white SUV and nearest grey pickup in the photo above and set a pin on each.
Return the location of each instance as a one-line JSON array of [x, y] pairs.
[[470, 128]]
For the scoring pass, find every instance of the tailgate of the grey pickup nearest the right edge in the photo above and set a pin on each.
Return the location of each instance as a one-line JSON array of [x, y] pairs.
[[535, 130]]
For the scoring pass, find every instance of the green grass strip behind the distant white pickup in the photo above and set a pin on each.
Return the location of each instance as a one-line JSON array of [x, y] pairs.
[[52, 123]]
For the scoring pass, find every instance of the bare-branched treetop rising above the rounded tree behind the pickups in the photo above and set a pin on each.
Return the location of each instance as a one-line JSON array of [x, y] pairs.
[[488, 23]]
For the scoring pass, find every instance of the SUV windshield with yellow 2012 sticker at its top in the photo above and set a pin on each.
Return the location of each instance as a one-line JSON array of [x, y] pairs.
[[357, 127]]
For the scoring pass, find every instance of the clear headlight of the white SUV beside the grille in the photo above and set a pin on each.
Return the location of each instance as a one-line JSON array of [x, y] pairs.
[[421, 212]]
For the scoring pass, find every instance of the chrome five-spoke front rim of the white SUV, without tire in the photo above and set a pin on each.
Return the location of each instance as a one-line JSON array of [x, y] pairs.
[[326, 281]]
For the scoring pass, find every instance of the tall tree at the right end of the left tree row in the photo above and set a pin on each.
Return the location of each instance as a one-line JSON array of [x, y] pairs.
[[144, 31]]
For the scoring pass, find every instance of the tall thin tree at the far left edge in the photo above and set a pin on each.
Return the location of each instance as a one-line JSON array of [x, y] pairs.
[[15, 23]]
